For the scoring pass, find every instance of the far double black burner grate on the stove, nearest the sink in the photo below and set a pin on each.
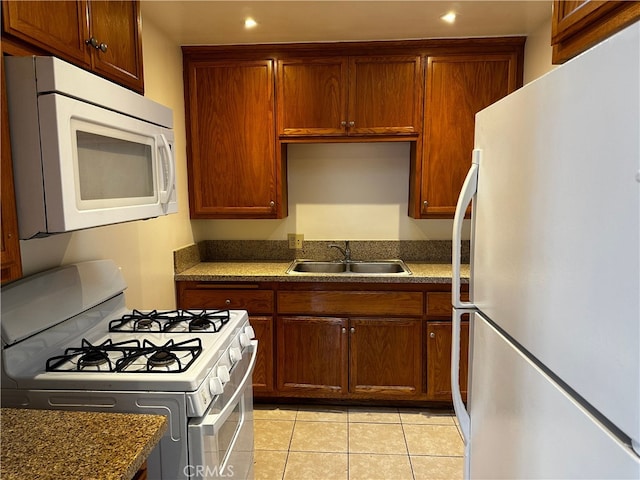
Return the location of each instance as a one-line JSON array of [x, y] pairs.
[[173, 321]]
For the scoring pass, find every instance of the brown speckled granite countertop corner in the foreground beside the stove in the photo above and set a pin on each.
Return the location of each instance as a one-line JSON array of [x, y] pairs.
[[56, 444]]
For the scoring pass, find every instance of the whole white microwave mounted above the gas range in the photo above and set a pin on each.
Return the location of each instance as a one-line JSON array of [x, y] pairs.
[[86, 152]]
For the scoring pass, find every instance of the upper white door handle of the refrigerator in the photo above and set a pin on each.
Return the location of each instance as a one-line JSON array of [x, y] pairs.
[[467, 193]]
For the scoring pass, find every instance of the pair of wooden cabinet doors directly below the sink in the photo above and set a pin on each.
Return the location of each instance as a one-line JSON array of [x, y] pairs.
[[334, 357]]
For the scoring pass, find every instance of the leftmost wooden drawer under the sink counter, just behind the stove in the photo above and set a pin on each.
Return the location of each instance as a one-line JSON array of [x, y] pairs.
[[255, 301]]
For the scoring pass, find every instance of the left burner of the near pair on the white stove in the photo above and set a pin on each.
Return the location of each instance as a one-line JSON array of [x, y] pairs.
[[101, 358]]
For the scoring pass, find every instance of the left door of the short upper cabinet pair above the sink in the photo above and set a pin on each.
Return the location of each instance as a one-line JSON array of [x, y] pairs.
[[312, 96]]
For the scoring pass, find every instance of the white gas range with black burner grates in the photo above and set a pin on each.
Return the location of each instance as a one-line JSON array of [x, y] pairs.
[[69, 342]]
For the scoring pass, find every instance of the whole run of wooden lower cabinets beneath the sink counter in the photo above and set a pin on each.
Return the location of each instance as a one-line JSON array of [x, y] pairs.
[[364, 342]]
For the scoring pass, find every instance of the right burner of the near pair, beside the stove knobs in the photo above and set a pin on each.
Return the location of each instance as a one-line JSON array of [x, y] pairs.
[[168, 358]]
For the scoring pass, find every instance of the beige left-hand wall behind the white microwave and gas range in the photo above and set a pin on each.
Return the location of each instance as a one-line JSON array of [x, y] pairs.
[[142, 249]]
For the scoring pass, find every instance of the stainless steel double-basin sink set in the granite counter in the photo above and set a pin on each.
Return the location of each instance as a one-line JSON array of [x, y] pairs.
[[377, 267]]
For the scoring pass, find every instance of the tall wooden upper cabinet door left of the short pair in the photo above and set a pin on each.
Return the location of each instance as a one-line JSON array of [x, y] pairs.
[[231, 137]]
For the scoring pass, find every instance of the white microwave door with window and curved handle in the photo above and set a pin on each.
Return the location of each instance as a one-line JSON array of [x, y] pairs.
[[100, 167]]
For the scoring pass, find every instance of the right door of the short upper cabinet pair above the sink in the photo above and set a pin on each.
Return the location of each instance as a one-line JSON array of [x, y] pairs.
[[385, 95]]
